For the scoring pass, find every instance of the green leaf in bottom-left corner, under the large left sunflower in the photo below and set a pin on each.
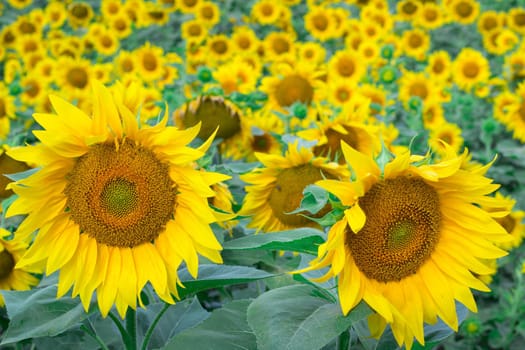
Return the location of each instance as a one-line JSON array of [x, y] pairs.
[[38, 313]]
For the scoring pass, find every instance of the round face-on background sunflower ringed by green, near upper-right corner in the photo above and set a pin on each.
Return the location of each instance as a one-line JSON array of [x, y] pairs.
[[470, 68]]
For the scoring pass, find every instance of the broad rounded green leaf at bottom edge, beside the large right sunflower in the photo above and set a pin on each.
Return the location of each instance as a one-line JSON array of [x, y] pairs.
[[297, 317]]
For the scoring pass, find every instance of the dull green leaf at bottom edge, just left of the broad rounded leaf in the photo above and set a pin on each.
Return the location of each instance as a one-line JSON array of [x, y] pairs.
[[226, 328]]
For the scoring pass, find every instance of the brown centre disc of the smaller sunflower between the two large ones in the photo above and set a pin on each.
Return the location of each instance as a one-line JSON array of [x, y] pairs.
[[287, 194]]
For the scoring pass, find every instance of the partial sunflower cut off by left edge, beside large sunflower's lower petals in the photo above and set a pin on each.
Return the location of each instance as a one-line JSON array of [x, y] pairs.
[[11, 277]]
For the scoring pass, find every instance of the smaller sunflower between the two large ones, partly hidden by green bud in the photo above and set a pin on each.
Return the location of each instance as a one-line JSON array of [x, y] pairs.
[[276, 189]]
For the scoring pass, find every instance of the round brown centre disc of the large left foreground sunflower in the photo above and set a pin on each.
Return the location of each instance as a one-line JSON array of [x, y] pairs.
[[120, 197]]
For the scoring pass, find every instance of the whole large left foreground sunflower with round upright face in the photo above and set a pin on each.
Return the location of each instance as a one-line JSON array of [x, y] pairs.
[[115, 205]]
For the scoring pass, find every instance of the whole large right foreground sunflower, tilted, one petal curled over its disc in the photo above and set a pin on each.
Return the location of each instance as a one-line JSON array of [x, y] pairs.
[[410, 239]]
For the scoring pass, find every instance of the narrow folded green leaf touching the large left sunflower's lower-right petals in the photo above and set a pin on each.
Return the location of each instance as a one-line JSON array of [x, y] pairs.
[[215, 276]]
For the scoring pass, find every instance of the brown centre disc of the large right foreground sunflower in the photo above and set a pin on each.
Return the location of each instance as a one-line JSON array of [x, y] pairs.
[[403, 222]]
